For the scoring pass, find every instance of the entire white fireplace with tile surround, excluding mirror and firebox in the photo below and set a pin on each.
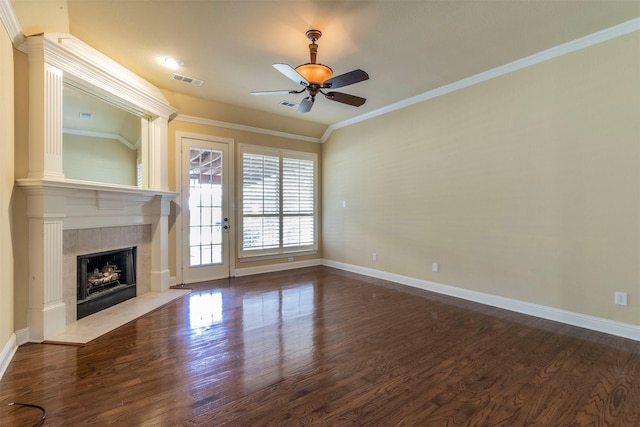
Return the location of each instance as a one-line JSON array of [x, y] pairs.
[[61, 211]]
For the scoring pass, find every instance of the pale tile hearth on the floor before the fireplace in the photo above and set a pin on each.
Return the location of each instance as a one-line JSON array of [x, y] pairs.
[[91, 327]]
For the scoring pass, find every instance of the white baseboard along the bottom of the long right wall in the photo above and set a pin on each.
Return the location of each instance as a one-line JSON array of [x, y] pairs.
[[550, 313]]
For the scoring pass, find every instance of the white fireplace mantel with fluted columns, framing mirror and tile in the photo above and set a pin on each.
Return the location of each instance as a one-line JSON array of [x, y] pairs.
[[55, 203]]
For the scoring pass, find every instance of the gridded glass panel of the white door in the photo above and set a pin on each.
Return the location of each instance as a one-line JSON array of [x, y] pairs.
[[205, 207]]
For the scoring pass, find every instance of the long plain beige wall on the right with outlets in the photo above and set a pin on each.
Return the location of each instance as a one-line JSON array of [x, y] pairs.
[[526, 186]]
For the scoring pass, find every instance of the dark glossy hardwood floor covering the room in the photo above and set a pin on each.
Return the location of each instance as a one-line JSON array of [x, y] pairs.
[[318, 346]]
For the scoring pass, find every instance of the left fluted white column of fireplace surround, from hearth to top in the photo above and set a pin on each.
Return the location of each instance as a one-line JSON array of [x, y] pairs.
[[45, 207]]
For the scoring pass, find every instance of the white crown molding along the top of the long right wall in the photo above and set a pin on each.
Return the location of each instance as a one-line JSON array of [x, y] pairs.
[[554, 52]]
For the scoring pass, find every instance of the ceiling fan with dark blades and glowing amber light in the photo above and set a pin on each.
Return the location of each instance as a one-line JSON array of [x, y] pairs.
[[316, 77]]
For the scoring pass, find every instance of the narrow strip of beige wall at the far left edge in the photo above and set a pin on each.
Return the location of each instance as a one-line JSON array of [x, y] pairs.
[[6, 187]]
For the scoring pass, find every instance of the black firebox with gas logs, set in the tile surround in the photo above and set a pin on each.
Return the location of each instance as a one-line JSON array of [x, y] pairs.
[[105, 279]]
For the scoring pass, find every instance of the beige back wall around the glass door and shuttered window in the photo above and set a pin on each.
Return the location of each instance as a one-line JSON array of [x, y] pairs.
[[199, 108]]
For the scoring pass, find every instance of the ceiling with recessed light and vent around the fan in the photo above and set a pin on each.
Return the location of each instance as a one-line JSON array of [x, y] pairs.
[[407, 47]]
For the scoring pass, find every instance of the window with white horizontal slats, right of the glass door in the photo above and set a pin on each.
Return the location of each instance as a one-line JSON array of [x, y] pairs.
[[277, 199]]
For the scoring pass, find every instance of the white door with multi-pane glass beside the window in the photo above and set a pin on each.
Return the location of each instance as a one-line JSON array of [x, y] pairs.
[[205, 204]]
